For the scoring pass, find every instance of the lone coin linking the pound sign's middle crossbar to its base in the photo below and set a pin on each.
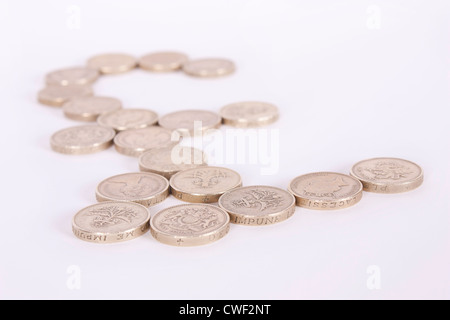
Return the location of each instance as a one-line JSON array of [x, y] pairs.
[[168, 161]]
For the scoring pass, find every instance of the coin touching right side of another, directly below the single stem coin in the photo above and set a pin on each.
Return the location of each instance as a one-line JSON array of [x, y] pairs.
[[204, 184]]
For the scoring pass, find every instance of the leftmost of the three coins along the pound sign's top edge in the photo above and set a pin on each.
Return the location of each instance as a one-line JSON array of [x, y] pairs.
[[112, 63]]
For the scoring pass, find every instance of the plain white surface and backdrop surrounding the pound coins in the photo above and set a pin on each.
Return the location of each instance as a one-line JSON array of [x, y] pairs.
[[353, 80]]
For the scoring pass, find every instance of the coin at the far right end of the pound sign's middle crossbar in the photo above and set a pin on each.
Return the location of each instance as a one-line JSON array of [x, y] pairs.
[[249, 114]]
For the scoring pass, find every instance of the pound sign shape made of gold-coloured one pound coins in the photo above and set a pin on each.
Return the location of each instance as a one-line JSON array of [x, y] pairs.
[[122, 212]]
